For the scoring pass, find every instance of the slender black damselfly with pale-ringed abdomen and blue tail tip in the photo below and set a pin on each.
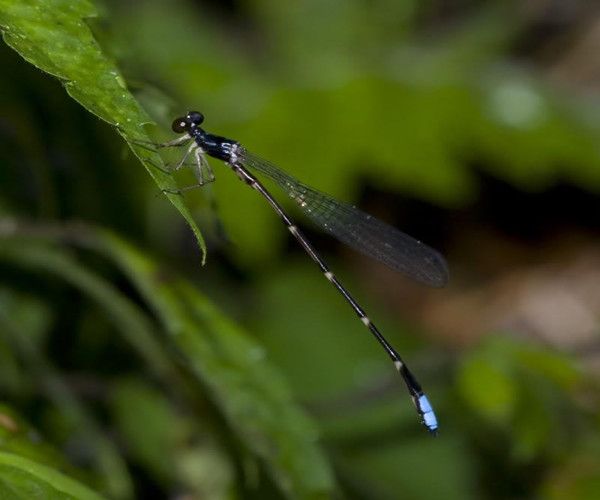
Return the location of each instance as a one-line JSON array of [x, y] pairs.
[[351, 226]]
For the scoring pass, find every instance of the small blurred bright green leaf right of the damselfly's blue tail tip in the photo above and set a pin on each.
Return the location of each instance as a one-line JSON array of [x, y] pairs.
[[521, 387]]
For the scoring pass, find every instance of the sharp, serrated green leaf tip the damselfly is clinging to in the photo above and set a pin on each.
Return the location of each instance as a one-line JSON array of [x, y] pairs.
[[54, 36]]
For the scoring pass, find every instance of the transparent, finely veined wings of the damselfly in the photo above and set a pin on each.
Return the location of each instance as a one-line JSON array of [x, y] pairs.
[[357, 229]]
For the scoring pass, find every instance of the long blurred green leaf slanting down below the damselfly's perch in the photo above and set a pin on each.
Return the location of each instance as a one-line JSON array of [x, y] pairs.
[[256, 403]]
